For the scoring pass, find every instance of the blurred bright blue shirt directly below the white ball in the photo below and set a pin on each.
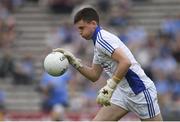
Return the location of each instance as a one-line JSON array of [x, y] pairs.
[[59, 91]]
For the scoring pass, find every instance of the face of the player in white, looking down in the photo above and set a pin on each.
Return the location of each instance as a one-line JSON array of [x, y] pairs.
[[86, 29]]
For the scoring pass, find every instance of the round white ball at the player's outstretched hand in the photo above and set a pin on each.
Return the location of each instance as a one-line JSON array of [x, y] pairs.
[[56, 64]]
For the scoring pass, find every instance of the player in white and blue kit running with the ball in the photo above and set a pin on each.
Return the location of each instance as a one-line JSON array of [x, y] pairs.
[[128, 88]]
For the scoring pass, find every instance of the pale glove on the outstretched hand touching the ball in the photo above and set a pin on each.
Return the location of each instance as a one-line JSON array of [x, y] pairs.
[[75, 62]]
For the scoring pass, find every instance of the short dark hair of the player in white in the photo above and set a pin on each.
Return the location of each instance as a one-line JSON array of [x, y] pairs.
[[86, 14]]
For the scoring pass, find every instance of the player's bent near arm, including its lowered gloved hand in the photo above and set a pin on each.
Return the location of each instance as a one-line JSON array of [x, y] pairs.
[[123, 65]]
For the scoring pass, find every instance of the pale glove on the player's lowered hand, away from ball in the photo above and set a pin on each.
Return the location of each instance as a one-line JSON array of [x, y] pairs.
[[106, 92]]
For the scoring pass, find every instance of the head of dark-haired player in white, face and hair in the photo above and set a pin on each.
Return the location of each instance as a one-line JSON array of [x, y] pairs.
[[86, 20]]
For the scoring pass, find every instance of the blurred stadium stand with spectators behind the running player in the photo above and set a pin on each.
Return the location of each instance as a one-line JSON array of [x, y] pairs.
[[30, 29]]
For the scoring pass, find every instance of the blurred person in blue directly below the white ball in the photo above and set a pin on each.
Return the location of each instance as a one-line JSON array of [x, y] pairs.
[[55, 92]]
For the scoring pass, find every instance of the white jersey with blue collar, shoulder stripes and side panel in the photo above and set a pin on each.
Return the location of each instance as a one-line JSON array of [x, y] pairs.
[[105, 44]]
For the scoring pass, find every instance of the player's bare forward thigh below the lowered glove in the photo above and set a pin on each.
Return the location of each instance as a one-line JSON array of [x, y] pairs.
[[110, 113]]
